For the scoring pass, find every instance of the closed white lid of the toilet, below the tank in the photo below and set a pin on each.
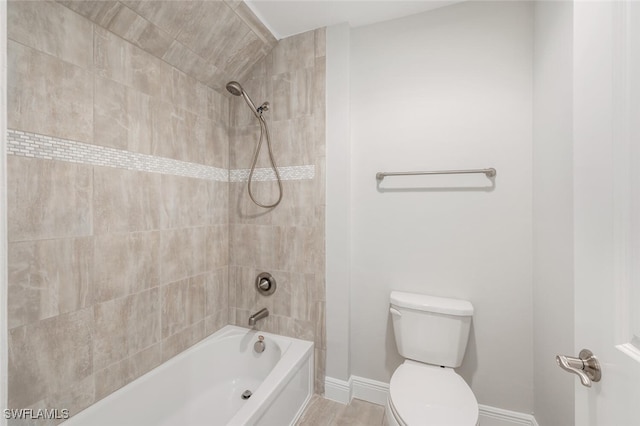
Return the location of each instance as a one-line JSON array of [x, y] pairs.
[[429, 395]]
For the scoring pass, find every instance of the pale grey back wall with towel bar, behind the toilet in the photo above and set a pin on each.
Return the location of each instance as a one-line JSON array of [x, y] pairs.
[[448, 89]]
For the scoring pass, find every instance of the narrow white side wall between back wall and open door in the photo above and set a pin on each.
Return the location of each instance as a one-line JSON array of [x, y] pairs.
[[553, 210]]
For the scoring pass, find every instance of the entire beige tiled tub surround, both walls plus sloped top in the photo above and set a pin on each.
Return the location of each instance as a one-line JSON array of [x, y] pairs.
[[117, 260]]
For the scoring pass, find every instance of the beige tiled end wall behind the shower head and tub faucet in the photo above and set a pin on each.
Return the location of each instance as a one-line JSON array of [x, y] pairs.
[[287, 241]]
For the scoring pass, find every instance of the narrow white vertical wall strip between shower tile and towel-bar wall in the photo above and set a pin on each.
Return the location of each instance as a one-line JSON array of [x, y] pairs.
[[338, 219]]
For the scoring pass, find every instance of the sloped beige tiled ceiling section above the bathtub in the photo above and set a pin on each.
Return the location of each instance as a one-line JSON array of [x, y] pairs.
[[213, 41]]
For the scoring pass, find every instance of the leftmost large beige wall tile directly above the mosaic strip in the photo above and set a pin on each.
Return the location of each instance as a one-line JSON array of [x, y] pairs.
[[47, 95]]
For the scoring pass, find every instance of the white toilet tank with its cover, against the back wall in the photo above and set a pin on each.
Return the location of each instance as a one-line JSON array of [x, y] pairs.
[[430, 329]]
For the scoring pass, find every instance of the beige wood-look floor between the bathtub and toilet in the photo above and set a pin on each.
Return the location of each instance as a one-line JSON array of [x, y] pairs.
[[323, 412]]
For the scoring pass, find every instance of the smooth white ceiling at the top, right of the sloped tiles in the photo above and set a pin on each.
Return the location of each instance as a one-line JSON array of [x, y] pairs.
[[289, 17]]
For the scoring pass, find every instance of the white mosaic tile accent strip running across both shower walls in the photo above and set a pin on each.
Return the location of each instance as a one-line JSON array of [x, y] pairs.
[[33, 145]]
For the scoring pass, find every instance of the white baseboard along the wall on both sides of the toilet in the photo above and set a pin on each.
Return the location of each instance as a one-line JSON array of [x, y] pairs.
[[376, 392]]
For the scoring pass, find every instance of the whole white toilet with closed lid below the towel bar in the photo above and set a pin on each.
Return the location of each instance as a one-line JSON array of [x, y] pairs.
[[431, 334]]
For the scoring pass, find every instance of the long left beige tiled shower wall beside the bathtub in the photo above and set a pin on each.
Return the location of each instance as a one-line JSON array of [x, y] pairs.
[[112, 269]]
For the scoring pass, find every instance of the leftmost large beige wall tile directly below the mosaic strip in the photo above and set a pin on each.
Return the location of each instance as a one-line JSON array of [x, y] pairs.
[[48, 199]]
